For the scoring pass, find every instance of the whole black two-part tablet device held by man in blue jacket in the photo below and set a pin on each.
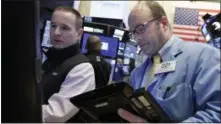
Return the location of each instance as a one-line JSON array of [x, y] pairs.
[[102, 104]]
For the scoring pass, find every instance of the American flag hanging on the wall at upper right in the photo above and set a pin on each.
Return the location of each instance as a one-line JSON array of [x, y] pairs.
[[188, 21]]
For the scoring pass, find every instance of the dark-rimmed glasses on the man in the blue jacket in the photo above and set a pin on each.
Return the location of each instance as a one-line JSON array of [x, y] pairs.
[[141, 28]]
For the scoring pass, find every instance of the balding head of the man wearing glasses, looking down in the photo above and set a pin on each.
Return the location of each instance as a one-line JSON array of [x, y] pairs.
[[149, 26]]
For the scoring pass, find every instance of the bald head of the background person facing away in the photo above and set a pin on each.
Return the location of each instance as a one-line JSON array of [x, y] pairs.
[[93, 44]]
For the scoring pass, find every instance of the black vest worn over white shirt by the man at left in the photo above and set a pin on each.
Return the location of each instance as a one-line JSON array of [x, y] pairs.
[[59, 62]]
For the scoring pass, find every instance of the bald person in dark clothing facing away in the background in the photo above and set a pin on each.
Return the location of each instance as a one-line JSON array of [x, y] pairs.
[[101, 67]]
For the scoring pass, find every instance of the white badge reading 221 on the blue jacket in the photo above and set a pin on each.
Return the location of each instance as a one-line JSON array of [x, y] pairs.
[[165, 67]]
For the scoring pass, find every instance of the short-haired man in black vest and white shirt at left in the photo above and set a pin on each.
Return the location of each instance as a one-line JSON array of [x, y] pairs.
[[67, 72]]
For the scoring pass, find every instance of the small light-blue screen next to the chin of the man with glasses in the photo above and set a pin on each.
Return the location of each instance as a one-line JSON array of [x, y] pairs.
[[130, 51]]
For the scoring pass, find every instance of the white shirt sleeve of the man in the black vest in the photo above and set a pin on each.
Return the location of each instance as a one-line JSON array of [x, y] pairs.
[[79, 80]]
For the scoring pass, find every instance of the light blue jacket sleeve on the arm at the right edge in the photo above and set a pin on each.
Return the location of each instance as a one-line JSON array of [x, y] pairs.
[[207, 87]]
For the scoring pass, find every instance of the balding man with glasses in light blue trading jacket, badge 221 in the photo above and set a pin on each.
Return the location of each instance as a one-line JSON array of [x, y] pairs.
[[187, 82]]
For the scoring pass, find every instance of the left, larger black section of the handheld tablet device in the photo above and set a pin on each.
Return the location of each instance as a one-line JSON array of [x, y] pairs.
[[102, 104]]
